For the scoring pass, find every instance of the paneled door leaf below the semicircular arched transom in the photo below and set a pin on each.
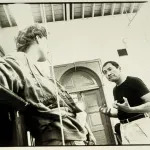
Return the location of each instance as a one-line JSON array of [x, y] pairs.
[[91, 100]]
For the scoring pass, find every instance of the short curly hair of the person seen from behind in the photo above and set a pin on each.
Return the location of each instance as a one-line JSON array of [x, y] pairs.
[[27, 36]]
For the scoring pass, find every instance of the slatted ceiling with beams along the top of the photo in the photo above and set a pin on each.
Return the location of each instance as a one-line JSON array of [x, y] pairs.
[[52, 12]]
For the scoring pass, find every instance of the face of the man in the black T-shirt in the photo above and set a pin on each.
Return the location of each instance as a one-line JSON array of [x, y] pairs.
[[111, 72]]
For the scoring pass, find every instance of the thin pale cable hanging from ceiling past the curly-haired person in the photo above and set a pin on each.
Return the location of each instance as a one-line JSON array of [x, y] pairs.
[[53, 76]]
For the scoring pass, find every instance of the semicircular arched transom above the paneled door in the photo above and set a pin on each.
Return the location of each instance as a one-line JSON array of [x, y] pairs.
[[79, 79]]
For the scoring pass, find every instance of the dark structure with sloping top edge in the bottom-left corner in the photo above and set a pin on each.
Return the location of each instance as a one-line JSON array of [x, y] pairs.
[[13, 131]]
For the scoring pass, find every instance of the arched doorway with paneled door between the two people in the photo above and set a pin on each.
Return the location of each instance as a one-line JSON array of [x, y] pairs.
[[88, 94]]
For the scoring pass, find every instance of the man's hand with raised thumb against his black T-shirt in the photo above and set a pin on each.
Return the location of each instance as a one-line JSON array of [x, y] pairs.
[[124, 106]]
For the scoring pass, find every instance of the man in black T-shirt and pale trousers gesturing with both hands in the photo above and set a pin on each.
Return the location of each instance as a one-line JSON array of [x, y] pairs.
[[132, 102]]
